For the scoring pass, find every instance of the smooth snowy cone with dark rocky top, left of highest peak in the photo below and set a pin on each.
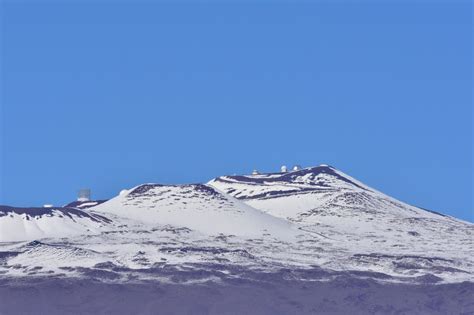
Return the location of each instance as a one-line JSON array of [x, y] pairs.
[[198, 207]]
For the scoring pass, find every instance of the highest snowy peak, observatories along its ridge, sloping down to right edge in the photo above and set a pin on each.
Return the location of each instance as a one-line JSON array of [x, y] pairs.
[[376, 228]]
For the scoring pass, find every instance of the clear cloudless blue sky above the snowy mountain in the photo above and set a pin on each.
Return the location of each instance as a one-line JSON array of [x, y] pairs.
[[110, 94]]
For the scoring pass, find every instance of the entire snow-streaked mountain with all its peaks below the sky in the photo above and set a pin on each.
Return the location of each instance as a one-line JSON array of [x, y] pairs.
[[305, 228]]
